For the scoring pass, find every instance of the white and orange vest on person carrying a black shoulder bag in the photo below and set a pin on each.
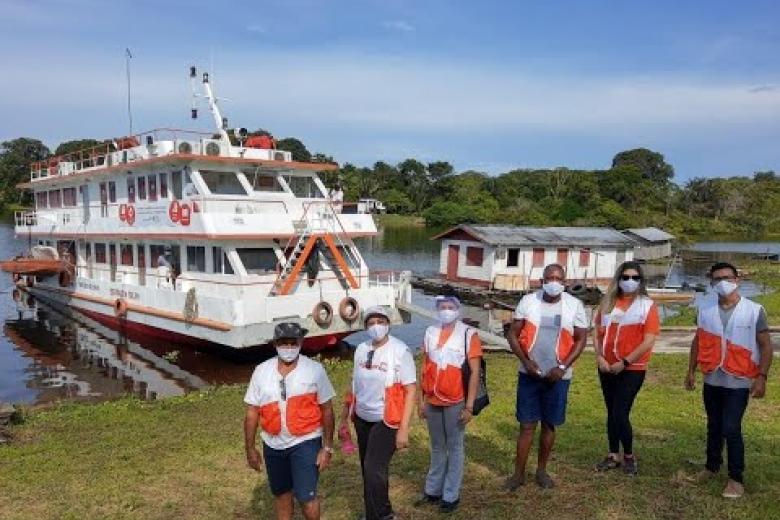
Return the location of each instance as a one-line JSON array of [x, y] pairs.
[[442, 375]]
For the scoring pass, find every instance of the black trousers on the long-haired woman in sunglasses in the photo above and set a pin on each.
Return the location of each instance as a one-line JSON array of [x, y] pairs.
[[619, 392]]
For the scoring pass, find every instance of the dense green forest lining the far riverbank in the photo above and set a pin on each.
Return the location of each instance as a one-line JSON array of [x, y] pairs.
[[638, 190]]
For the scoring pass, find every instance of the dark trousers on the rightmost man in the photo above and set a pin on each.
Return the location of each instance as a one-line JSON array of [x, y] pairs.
[[725, 408]]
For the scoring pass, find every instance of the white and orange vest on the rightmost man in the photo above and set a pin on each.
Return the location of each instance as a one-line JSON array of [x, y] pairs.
[[735, 349]]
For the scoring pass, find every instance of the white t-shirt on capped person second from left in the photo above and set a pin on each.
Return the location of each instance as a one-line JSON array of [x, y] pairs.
[[369, 383]]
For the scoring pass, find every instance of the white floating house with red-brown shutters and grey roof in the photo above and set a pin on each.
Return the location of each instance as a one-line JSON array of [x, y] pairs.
[[513, 258]]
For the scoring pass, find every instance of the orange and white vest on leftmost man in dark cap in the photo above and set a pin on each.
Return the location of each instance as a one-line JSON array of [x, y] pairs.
[[301, 413]]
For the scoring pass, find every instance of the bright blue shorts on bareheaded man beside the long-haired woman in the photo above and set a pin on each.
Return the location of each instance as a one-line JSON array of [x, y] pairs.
[[539, 400]]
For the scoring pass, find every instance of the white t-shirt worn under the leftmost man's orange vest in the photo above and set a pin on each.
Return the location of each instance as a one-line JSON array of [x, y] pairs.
[[307, 377]]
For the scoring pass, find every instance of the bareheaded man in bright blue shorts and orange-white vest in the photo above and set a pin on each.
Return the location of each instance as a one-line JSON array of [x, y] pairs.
[[548, 335]]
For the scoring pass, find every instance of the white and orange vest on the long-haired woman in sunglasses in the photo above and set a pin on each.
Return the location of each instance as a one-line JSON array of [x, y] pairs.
[[625, 329]]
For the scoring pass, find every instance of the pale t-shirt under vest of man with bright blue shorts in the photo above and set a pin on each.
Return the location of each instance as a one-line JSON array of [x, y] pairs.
[[545, 352]]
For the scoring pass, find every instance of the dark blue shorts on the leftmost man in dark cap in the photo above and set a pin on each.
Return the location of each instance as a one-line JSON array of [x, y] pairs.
[[294, 469]]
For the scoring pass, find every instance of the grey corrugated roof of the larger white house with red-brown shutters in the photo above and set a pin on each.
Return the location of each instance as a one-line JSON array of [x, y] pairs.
[[552, 236]]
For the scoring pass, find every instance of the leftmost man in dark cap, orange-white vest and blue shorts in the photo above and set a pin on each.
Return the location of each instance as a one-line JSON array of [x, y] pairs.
[[289, 397]]
